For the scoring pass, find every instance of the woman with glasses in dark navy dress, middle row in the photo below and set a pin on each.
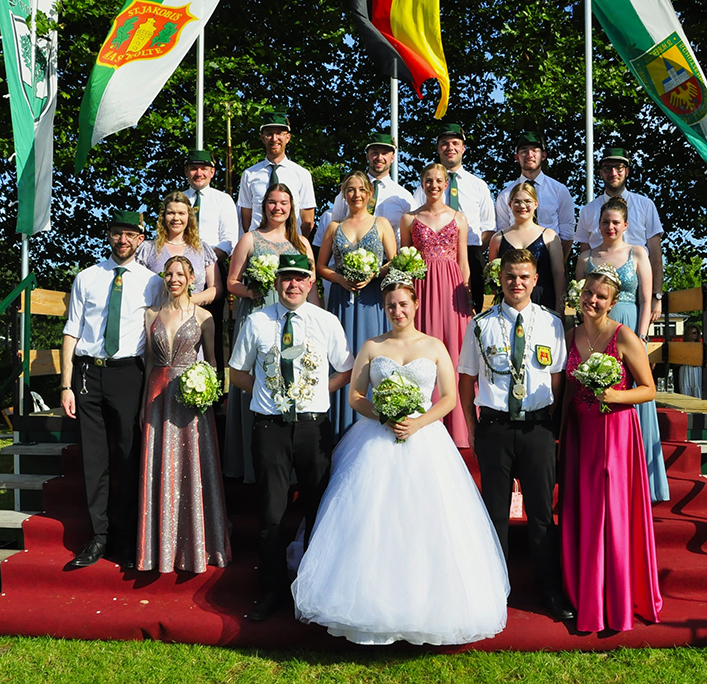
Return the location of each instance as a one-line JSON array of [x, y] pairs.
[[543, 243]]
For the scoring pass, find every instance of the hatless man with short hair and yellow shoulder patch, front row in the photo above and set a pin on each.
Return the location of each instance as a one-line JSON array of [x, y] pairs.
[[516, 352]]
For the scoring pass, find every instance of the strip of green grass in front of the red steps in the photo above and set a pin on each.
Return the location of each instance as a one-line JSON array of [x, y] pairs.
[[26, 661]]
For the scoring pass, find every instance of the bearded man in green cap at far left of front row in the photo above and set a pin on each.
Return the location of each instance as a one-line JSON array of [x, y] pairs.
[[102, 377]]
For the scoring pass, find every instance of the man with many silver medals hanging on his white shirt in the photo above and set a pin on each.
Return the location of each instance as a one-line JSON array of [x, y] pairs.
[[281, 351]]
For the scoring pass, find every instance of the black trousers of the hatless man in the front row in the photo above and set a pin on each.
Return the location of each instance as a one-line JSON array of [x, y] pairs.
[[526, 450]]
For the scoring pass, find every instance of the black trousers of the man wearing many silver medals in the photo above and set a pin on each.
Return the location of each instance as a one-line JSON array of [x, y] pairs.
[[278, 447]]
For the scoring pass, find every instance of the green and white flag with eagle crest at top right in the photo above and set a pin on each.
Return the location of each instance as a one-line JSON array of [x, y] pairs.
[[648, 36]]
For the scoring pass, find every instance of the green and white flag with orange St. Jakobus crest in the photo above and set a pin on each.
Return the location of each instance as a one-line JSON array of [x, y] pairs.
[[146, 43]]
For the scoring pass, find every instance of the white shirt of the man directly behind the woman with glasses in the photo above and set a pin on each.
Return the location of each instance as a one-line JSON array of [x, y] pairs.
[[555, 206]]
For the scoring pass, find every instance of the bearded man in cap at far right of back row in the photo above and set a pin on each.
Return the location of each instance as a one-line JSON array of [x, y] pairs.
[[644, 227]]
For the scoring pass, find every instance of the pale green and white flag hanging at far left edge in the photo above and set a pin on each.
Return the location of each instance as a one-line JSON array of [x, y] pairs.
[[30, 65]]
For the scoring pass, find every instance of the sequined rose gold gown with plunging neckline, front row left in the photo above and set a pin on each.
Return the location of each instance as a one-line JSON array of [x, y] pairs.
[[182, 521]]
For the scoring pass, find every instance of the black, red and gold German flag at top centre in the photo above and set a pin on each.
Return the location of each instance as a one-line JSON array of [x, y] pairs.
[[405, 40]]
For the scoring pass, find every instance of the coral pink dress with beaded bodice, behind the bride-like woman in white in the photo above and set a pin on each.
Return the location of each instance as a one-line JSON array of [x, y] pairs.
[[443, 311]]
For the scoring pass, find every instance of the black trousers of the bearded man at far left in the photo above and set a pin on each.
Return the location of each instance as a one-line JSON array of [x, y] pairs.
[[108, 415]]
